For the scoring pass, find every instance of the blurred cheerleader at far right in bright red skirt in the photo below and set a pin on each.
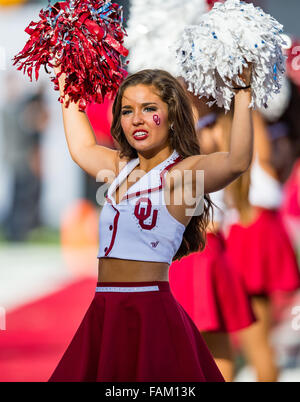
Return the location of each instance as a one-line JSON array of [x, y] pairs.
[[260, 250]]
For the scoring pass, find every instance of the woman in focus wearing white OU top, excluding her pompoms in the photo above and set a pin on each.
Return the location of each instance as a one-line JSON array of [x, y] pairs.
[[134, 330]]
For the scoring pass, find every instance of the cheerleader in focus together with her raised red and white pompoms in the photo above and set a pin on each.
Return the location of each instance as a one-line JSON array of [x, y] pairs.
[[134, 329]]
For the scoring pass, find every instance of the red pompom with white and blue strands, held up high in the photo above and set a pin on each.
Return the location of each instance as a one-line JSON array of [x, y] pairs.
[[86, 38]]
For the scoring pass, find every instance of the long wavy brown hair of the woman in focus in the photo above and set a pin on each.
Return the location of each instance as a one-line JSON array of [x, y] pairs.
[[183, 139]]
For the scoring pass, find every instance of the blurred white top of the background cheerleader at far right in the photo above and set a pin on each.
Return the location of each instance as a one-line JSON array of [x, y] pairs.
[[265, 191]]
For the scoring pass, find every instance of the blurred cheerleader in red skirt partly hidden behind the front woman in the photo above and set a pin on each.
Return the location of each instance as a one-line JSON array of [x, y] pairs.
[[204, 283]]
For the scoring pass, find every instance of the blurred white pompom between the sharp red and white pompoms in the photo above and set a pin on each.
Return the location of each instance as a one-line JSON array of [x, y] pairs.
[[153, 26]]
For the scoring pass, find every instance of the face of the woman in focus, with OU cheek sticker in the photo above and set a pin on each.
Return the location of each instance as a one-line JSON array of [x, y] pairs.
[[144, 118]]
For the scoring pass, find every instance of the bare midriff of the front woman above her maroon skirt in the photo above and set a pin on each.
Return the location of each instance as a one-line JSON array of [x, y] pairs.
[[117, 270]]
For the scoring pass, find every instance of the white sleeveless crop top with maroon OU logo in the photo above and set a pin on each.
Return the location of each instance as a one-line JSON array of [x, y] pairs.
[[140, 227]]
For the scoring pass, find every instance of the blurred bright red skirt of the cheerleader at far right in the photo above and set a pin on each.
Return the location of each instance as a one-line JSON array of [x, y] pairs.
[[263, 255]]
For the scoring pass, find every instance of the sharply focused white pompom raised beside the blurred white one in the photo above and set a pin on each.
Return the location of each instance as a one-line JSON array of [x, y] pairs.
[[212, 54]]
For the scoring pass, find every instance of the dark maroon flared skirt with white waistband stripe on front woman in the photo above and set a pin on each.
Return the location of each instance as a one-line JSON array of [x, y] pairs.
[[136, 332]]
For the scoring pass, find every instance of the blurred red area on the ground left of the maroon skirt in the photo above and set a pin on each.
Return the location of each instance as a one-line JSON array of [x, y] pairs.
[[38, 333]]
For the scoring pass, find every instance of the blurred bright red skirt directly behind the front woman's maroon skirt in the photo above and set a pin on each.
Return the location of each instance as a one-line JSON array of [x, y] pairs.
[[210, 291]]
